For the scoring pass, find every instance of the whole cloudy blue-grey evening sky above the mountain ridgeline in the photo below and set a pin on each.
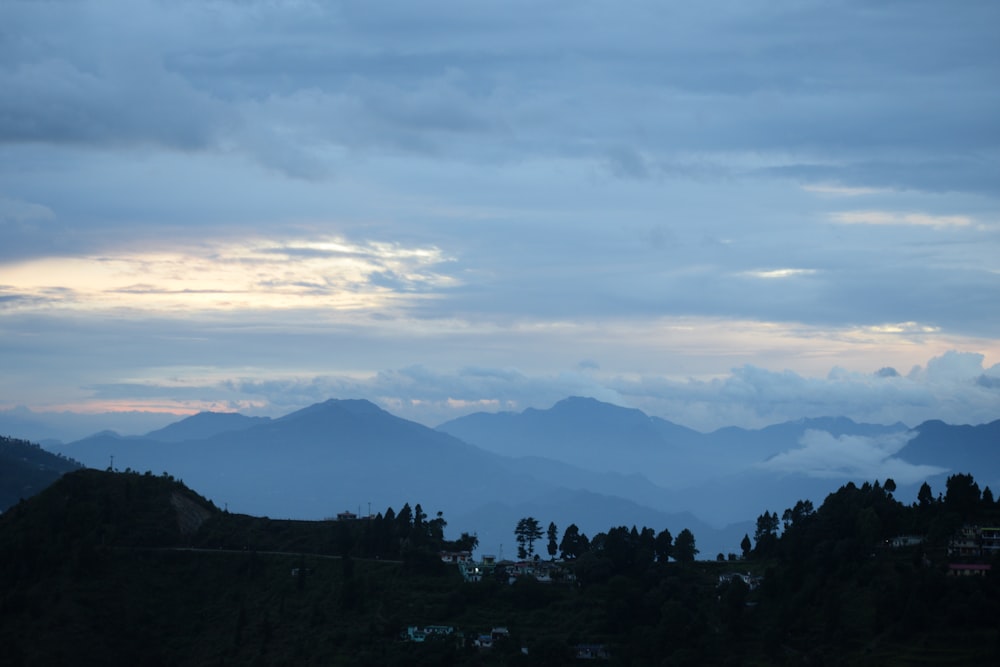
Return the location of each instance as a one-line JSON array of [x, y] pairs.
[[721, 213]]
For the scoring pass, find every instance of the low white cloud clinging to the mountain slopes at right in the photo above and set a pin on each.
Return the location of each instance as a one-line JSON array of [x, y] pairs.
[[824, 455]]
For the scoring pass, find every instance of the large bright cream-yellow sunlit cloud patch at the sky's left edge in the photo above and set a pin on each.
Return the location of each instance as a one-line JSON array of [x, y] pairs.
[[319, 273]]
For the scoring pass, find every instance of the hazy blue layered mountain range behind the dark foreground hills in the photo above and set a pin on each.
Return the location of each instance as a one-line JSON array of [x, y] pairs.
[[582, 461]]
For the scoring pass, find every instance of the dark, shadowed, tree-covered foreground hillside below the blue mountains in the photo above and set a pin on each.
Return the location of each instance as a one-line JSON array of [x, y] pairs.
[[122, 568]]
